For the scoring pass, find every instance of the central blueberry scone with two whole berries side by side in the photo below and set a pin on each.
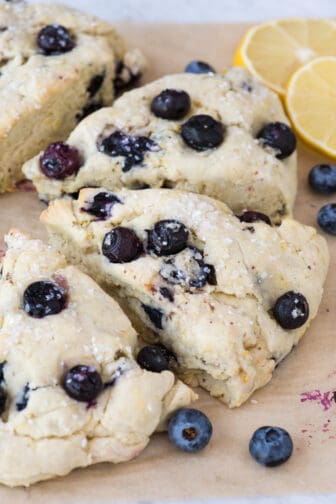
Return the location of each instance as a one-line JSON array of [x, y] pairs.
[[229, 295]]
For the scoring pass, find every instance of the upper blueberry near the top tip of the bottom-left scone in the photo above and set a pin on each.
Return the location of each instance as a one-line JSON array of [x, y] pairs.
[[41, 299]]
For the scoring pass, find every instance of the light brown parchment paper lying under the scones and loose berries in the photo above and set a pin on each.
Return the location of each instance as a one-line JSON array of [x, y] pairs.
[[300, 397]]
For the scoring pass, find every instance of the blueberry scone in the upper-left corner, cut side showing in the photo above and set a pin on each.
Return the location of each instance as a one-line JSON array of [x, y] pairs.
[[57, 66]]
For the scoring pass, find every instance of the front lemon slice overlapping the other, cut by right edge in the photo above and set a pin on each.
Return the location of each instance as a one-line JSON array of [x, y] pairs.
[[311, 103]]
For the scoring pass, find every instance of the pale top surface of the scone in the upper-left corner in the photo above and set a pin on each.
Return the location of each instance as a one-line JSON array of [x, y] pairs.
[[31, 74]]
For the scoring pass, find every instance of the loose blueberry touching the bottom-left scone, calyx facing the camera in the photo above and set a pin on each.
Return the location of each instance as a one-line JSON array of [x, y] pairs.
[[189, 430]]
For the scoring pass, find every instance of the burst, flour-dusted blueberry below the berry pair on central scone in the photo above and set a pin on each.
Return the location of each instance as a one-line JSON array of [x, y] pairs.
[[188, 269]]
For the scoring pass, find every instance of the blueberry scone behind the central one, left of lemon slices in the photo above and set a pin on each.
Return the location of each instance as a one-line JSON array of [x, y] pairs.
[[224, 136]]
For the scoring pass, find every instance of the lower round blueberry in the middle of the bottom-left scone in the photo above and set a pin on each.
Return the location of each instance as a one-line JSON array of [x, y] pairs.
[[83, 383]]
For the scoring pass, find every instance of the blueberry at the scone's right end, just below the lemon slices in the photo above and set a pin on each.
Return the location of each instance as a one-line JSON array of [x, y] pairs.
[[280, 137]]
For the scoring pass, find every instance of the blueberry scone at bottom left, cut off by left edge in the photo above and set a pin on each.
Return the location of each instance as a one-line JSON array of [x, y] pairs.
[[71, 393]]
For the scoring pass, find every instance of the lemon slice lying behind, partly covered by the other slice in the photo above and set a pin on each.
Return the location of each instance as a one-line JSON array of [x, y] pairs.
[[273, 51]]
